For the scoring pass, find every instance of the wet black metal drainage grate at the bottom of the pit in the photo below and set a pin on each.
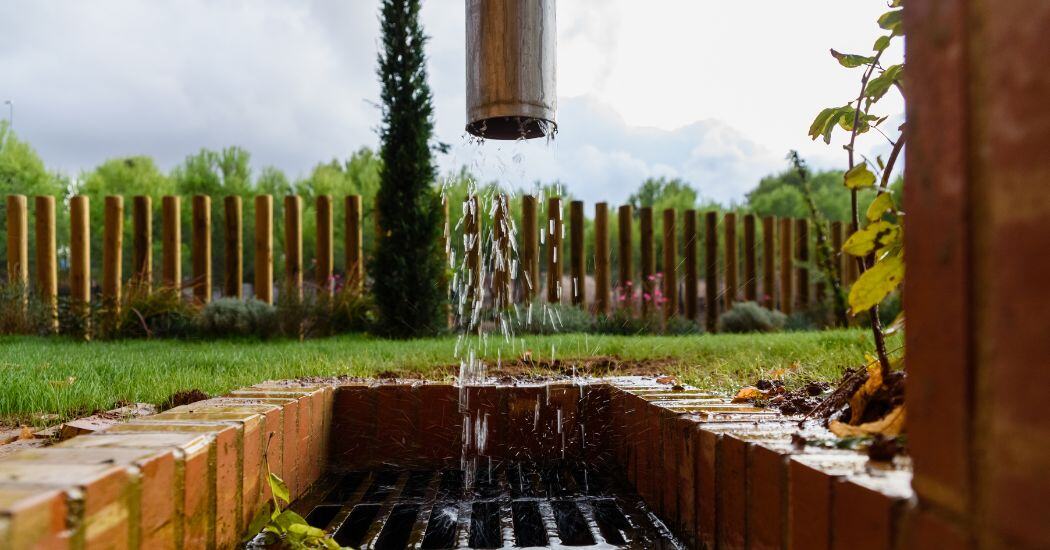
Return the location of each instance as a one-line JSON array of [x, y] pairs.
[[512, 505]]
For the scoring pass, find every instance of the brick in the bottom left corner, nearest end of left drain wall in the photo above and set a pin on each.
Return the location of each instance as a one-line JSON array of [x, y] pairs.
[[33, 518]]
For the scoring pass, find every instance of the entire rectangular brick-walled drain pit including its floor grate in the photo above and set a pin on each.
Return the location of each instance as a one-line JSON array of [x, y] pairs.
[[718, 475]]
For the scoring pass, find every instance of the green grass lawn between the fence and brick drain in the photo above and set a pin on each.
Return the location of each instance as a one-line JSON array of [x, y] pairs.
[[71, 379]]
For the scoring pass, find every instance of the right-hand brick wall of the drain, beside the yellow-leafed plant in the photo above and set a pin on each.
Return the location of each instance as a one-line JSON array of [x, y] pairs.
[[731, 478]]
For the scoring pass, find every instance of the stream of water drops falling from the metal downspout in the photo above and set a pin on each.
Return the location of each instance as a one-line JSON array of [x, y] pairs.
[[486, 315]]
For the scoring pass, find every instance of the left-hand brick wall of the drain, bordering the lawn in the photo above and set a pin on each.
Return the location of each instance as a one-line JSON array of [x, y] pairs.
[[192, 477]]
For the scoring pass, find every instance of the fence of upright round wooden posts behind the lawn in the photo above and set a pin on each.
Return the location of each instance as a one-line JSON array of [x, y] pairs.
[[782, 282]]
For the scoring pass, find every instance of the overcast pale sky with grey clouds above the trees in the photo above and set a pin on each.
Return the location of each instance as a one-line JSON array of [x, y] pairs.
[[713, 92]]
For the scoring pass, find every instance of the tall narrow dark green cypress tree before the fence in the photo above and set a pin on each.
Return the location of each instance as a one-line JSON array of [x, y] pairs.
[[408, 267]]
